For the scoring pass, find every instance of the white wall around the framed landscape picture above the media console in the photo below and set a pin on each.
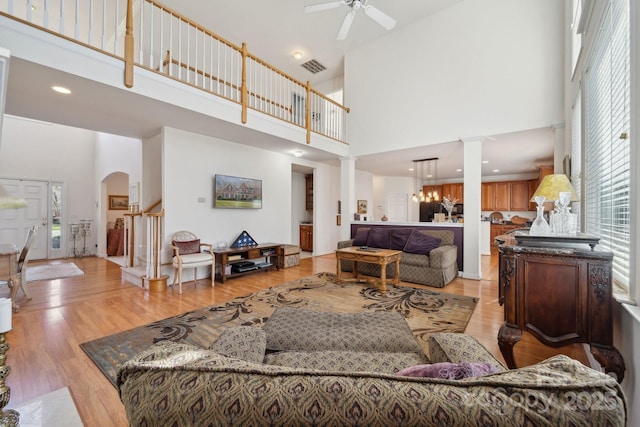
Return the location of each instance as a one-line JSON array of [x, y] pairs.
[[190, 162]]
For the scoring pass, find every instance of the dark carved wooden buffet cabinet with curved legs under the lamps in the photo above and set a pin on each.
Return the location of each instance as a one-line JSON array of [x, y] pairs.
[[560, 296]]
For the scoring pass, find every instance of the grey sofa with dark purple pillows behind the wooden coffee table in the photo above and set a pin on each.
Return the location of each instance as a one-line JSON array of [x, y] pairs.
[[429, 256]]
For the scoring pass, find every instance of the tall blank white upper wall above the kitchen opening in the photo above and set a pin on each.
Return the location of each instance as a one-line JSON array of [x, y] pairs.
[[475, 68]]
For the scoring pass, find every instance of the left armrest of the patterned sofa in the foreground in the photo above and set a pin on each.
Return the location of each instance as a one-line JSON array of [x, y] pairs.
[[241, 342]]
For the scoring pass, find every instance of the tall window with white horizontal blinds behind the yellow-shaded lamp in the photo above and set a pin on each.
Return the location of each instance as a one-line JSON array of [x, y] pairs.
[[607, 151]]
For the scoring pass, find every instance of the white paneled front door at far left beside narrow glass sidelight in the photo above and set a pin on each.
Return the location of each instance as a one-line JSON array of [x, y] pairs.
[[14, 223]]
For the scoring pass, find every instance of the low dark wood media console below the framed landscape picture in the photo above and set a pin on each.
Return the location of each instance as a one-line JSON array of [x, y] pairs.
[[224, 259]]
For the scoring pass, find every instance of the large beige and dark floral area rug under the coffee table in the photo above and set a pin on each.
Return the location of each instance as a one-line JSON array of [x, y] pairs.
[[427, 312]]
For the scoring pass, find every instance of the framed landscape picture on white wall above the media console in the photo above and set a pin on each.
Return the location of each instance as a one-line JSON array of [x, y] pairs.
[[233, 192]]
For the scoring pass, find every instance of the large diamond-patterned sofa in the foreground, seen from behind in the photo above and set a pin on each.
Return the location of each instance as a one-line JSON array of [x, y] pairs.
[[240, 381]]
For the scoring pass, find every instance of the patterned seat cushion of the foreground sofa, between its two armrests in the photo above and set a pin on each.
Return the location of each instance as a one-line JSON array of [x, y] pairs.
[[345, 361]]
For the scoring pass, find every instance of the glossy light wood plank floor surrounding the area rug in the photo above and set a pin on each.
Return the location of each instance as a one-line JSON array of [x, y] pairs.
[[45, 354]]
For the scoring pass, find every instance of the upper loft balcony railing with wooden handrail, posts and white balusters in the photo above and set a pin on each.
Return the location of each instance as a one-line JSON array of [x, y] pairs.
[[240, 66]]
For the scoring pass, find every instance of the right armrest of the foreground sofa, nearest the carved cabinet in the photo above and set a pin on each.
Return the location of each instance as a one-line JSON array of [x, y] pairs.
[[455, 348]]
